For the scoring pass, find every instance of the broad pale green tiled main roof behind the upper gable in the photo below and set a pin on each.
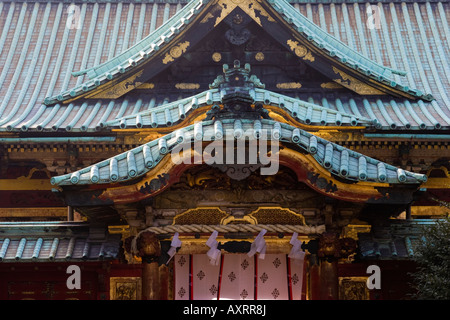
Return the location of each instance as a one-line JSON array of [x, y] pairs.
[[37, 59]]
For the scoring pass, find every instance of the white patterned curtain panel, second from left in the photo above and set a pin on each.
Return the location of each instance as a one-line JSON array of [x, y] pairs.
[[205, 278]]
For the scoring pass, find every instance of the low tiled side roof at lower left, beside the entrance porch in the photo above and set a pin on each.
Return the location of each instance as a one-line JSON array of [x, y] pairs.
[[55, 241]]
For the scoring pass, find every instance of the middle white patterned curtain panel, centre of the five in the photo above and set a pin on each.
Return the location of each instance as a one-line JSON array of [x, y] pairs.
[[238, 277]]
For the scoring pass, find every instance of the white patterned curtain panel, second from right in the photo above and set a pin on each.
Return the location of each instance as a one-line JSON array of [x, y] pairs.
[[272, 280]]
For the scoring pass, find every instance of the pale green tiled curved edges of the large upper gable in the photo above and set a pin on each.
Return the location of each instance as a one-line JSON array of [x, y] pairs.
[[147, 47]]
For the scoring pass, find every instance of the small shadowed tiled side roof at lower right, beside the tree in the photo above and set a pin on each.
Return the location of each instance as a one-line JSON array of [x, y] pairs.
[[396, 240]]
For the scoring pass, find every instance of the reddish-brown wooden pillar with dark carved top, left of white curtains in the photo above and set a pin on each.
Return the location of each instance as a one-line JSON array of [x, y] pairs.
[[149, 249]]
